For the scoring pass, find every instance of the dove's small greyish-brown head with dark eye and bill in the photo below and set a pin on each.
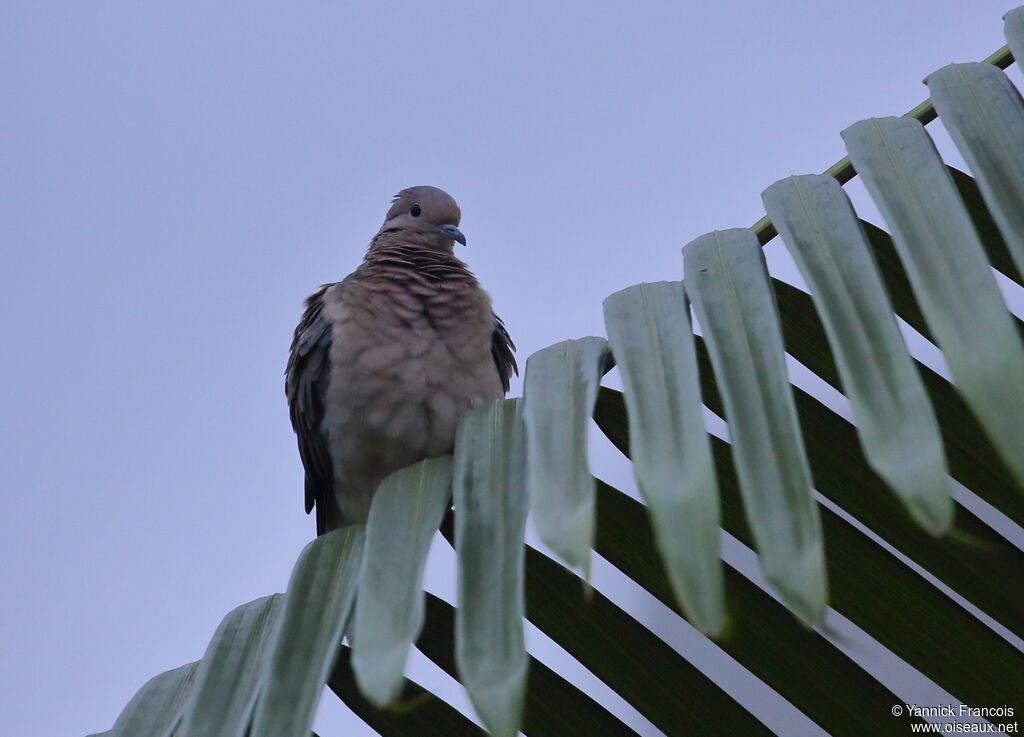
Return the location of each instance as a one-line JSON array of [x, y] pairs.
[[428, 215]]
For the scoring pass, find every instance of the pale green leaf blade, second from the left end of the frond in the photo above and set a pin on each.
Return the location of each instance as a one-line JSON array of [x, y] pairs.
[[229, 676]]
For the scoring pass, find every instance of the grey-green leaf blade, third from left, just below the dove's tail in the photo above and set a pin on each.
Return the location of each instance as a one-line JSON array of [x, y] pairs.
[[316, 609]]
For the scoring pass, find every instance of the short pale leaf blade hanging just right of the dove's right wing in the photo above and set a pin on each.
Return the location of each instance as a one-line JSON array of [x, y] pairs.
[[561, 389]]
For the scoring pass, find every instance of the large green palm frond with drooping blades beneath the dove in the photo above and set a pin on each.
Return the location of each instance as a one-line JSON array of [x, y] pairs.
[[818, 497]]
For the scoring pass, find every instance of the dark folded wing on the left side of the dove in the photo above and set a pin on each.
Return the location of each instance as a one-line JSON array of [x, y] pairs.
[[306, 385]]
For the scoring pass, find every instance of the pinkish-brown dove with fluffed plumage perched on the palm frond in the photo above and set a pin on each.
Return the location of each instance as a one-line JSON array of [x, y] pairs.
[[385, 362]]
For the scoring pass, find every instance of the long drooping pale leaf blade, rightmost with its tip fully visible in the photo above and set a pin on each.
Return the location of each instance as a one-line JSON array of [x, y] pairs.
[[895, 421]]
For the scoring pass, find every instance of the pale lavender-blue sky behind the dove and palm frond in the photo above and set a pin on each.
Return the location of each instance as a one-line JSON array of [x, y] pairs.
[[179, 177]]
